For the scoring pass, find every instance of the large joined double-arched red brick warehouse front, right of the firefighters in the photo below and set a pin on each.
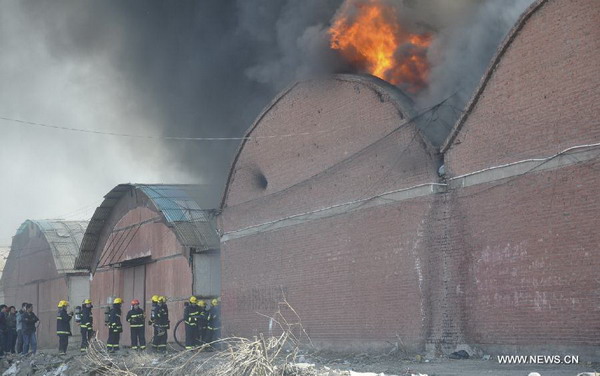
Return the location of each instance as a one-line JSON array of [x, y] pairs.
[[350, 220]]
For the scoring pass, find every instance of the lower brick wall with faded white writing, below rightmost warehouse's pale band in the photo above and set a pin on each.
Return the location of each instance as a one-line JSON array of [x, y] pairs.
[[532, 244]]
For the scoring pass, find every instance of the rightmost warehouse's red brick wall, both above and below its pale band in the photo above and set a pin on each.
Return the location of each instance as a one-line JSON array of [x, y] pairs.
[[530, 243]]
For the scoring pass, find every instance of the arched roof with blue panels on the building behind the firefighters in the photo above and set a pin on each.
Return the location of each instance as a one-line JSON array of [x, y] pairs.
[[184, 208]]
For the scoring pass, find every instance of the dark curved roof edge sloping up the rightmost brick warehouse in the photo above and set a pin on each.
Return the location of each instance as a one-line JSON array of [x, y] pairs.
[[512, 35]]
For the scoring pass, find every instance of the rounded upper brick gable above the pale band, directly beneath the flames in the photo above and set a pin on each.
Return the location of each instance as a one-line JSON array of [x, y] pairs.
[[345, 153]]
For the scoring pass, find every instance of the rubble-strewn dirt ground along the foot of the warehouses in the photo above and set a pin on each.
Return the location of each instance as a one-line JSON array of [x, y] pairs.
[[48, 363]]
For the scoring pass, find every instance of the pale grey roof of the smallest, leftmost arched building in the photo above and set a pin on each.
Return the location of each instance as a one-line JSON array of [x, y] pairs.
[[64, 238]]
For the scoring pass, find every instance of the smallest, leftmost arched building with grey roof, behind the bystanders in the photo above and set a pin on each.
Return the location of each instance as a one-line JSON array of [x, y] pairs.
[[40, 270]]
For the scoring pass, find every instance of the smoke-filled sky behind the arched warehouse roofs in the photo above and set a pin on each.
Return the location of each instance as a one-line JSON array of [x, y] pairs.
[[184, 69]]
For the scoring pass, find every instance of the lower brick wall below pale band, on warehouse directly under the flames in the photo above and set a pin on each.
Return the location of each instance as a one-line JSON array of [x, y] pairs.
[[355, 280]]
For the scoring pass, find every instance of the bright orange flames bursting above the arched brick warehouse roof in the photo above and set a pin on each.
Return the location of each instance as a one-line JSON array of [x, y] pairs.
[[374, 40]]
